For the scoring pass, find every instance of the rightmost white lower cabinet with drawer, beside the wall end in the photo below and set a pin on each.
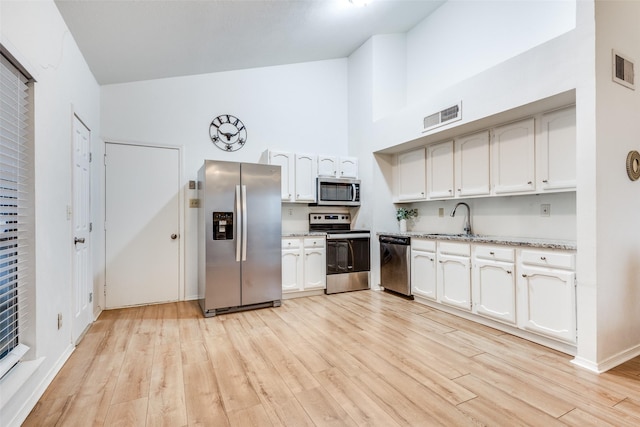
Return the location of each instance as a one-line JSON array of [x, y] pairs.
[[547, 294]]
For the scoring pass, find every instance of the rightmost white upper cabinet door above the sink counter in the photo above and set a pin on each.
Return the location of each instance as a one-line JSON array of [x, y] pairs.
[[556, 151]]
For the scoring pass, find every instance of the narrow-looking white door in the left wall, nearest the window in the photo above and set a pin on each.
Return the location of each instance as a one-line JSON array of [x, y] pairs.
[[81, 209]]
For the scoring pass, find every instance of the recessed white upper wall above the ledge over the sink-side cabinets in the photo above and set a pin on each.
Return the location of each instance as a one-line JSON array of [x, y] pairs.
[[464, 38]]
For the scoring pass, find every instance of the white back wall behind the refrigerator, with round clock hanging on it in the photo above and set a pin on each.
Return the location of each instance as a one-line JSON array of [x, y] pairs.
[[298, 108]]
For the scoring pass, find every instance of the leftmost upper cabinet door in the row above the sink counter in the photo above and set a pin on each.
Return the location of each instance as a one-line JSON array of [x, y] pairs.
[[411, 175]]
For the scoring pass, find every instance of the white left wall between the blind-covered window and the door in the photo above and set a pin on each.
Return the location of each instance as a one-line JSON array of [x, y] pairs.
[[35, 33]]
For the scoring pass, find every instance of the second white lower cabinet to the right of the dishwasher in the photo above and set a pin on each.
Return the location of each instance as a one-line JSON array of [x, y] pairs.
[[454, 274]]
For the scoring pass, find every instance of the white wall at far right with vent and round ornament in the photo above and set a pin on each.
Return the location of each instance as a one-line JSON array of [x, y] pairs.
[[617, 198]]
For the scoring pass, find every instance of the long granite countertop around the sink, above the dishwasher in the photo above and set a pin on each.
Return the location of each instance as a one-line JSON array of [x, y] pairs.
[[498, 240]]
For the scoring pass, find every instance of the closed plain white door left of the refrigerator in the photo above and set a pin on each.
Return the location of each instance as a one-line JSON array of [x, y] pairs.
[[142, 224]]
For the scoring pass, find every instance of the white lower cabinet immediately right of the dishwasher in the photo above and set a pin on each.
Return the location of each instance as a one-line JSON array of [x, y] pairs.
[[423, 268]]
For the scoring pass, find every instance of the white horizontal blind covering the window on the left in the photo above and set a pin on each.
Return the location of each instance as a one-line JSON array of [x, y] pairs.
[[15, 173]]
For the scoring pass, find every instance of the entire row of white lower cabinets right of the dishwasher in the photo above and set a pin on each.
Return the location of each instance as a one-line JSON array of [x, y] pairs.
[[530, 289]]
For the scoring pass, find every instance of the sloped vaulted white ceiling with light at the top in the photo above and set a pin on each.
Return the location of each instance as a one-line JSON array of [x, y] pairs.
[[132, 40]]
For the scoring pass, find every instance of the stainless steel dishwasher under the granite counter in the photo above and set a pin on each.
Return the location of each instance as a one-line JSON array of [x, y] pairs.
[[395, 264]]
